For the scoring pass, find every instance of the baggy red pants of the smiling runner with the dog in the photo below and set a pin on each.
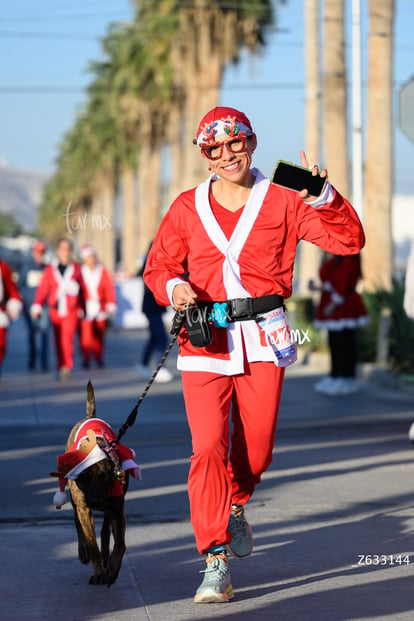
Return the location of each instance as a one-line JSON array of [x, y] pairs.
[[220, 477]]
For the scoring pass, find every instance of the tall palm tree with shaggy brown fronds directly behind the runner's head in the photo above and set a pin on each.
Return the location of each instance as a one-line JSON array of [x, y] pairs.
[[212, 35]]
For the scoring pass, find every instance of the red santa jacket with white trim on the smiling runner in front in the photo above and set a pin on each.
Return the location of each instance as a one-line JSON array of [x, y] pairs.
[[257, 260]]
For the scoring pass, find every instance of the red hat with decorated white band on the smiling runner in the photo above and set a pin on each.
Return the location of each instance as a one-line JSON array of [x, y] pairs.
[[222, 120]]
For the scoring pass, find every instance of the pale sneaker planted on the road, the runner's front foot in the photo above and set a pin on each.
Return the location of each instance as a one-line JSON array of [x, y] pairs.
[[216, 586]]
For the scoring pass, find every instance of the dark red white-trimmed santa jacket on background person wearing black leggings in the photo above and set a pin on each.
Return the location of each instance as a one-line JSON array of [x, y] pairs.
[[340, 305]]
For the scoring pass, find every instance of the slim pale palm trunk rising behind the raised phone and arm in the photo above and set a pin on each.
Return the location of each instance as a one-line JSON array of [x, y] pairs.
[[309, 254]]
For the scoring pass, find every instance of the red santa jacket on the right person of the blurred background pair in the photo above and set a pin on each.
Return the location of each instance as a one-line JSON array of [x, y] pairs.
[[99, 292]]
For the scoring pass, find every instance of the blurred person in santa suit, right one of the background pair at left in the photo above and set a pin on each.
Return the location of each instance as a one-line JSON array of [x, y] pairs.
[[100, 305]]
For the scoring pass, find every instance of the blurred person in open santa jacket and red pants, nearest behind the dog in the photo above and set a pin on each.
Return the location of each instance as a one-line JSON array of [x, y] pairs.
[[62, 289]]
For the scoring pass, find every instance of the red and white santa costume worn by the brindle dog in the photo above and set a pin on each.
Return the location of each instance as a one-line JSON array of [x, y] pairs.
[[85, 452]]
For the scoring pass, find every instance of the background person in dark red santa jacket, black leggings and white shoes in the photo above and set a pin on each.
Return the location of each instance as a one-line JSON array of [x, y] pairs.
[[341, 312]]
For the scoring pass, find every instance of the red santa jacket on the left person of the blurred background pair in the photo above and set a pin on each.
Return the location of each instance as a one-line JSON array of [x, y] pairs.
[[63, 294]]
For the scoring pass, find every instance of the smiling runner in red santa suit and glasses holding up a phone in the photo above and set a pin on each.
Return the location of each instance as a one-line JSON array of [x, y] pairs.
[[236, 236]]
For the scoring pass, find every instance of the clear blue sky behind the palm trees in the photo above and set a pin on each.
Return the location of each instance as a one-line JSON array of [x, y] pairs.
[[47, 45]]
